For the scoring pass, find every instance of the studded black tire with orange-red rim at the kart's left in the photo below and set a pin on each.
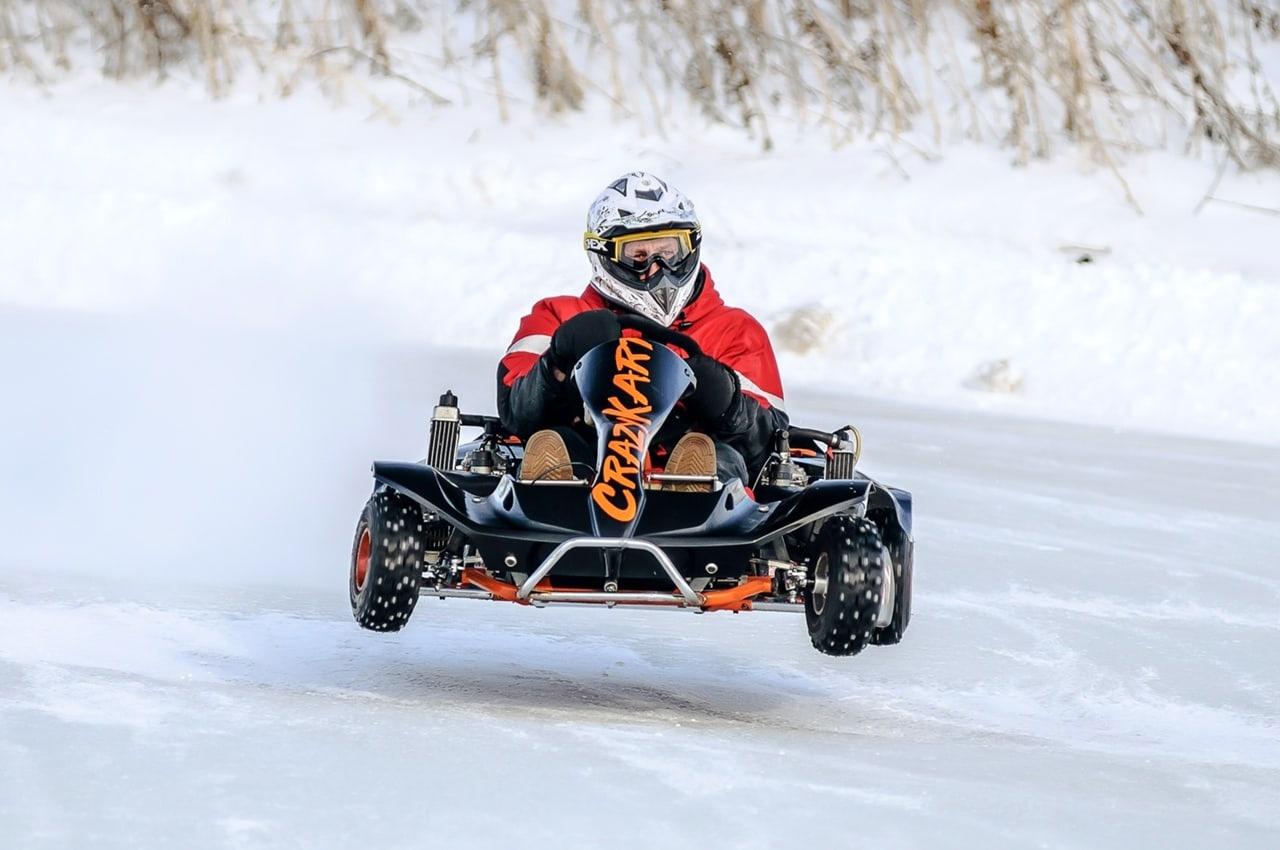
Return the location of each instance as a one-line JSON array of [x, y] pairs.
[[387, 561]]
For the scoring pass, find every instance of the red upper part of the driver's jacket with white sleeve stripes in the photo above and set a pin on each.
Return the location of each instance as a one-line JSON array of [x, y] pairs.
[[729, 335]]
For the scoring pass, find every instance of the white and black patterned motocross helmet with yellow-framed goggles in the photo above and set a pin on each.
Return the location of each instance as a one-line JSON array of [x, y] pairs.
[[643, 240]]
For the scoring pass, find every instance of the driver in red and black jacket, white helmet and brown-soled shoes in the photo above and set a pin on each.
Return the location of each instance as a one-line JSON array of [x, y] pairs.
[[644, 240]]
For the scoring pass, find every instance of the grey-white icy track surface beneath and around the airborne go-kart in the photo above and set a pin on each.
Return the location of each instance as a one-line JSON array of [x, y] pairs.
[[1095, 660]]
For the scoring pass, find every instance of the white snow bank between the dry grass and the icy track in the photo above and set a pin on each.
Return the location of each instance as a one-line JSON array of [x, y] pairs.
[[953, 282]]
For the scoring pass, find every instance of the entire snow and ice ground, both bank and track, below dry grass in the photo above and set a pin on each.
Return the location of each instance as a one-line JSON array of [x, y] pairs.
[[216, 316]]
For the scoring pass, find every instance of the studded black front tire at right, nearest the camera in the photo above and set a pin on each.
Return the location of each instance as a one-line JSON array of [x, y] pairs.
[[844, 586]]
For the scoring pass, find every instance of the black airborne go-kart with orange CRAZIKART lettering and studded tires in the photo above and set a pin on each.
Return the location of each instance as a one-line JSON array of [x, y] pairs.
[[811, 536]]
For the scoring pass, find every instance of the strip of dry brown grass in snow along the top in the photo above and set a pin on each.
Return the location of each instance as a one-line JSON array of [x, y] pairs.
[[1107, 76]]
